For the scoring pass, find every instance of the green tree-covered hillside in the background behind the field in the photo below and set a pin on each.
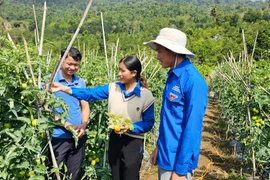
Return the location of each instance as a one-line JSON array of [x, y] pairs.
[[134, 22]]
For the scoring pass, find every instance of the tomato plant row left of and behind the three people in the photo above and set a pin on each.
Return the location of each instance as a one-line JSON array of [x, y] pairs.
[[24, 120]]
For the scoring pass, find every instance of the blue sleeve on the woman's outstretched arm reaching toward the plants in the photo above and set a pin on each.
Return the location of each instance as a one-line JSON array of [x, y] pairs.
[[91, 94]]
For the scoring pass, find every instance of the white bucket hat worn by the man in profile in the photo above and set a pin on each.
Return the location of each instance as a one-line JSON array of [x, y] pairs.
[[172, 39]]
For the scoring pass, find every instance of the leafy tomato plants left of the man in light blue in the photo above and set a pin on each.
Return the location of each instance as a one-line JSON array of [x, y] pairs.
[[23, 117]]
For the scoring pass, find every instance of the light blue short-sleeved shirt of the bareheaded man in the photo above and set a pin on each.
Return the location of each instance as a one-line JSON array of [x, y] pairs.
[[74, 109]]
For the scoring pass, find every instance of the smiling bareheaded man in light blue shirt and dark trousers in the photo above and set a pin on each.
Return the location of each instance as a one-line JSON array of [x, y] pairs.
[[79, 112]]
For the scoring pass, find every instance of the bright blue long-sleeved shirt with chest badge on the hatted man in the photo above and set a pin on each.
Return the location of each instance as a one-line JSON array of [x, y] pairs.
[[181, 118]]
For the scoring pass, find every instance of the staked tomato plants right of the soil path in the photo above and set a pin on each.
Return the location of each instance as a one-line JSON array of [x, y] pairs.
[[244, 102]]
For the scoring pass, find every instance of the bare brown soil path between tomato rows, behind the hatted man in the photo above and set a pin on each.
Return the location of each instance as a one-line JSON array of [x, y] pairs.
[[217, 160]]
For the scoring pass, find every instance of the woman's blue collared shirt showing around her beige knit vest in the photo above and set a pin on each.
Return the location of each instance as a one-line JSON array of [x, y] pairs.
[[102, 92]]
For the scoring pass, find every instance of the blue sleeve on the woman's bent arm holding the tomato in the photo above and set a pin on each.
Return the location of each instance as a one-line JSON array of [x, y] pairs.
[[147, 121]]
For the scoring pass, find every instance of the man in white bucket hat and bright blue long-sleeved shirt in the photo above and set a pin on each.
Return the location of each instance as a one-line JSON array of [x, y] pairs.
[[183, 108]]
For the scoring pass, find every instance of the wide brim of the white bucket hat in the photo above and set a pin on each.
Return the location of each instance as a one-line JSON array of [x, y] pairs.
[[169, 45]]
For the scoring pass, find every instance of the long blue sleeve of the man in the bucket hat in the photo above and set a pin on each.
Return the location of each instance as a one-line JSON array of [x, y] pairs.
[[195, 106]]
